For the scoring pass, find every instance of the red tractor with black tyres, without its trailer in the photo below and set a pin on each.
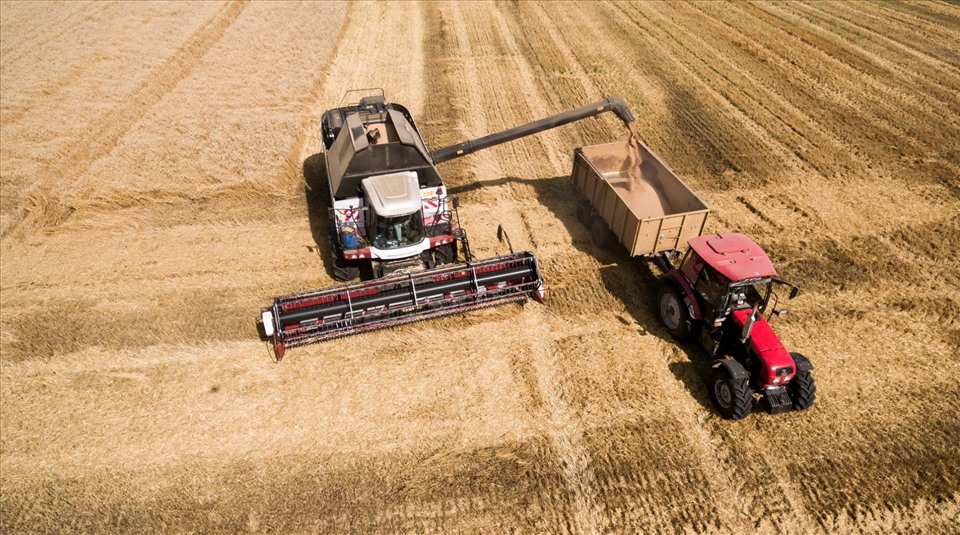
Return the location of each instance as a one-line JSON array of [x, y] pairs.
[[720, 294]]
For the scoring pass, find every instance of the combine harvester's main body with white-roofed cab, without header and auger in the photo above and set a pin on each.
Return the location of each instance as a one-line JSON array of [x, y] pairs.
[[390, 208]]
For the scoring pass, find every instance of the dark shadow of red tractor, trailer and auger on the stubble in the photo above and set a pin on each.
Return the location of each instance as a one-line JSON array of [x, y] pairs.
[[630, 279]]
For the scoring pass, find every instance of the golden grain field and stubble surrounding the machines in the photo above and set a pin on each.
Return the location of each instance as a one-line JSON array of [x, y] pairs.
[[154, 164]]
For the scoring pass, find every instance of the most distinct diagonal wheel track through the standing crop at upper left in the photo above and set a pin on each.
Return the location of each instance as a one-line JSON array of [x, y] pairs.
[[45, 207]]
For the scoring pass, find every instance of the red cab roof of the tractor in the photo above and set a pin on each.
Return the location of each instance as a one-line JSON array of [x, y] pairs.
[[733, 255]]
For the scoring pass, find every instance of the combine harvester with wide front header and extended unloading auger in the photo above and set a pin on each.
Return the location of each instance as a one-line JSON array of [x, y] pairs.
[[393, 226]]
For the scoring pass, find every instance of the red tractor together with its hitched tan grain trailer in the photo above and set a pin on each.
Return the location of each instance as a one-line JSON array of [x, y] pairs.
[[717, 293]]
